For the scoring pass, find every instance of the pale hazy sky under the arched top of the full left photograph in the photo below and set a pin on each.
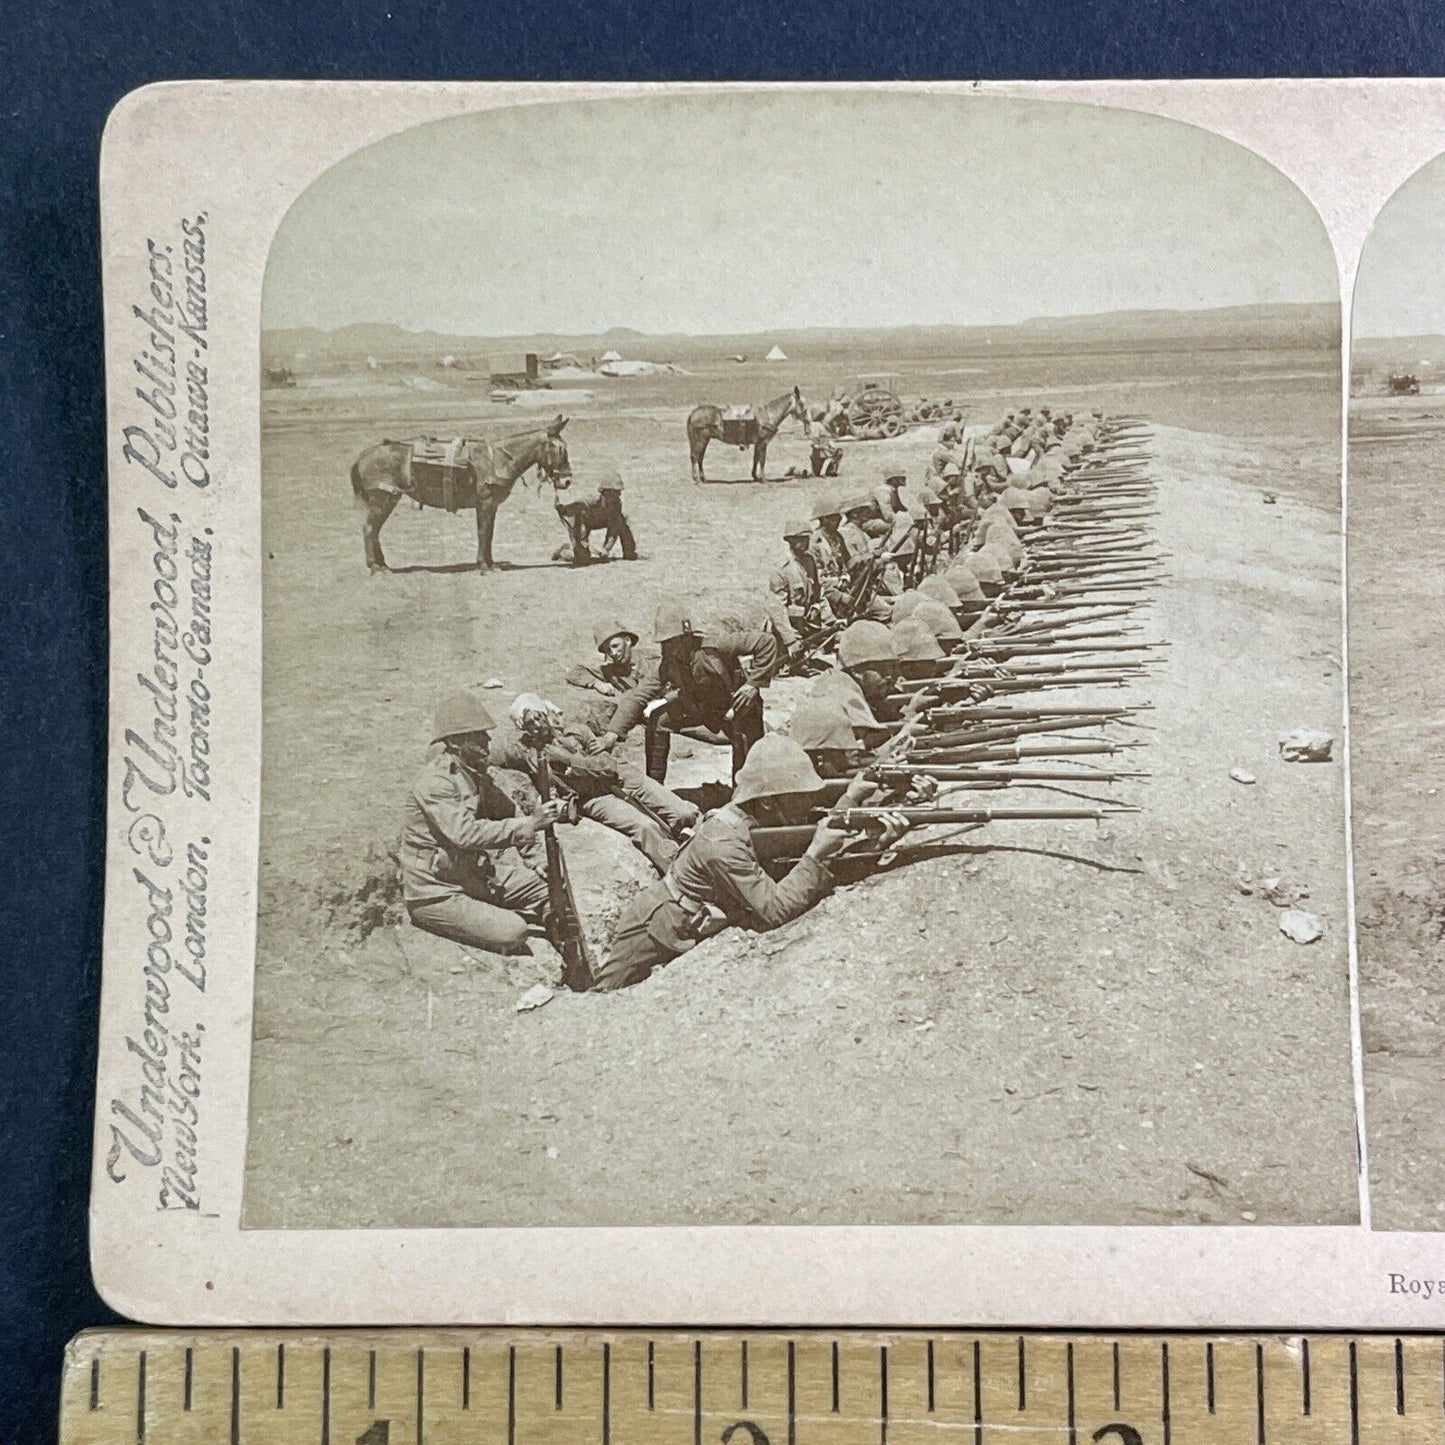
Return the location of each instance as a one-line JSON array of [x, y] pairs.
[[751, 213]]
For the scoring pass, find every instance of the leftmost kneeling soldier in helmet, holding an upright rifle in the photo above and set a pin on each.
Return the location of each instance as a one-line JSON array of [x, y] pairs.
[[473, 871]]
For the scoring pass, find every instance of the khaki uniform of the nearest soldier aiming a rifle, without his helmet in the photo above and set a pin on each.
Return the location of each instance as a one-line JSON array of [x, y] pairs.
[[717, 869]]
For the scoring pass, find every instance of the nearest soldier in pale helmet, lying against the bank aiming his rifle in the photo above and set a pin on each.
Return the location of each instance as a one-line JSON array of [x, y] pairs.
[[717, 881]]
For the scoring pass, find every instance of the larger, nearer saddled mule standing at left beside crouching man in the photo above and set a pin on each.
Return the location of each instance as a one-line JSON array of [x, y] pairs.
[[488, 472]]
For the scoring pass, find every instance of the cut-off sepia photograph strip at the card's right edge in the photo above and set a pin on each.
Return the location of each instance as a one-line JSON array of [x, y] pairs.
[[1397, 590]]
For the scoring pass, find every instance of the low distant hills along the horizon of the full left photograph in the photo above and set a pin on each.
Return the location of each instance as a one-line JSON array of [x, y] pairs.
[[1304, 324]]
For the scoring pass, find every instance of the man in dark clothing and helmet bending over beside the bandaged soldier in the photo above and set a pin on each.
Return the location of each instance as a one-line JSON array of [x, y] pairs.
[[702, 681]]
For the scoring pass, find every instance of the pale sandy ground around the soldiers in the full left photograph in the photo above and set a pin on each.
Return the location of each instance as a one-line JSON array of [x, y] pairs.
[[1063, 1024]]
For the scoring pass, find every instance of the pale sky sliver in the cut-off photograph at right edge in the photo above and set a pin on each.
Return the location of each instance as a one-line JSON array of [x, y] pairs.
[[1401, 284]]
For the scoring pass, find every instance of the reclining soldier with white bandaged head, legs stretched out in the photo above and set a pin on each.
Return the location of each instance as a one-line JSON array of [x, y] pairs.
[[554, 759]]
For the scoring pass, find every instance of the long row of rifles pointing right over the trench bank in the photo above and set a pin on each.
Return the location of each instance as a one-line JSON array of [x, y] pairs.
[[1066, 618]]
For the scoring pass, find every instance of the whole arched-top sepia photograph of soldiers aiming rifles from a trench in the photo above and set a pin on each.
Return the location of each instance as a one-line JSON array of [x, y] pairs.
[[801, 676]]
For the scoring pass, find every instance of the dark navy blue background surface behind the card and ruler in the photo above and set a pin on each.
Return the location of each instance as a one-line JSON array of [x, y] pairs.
[[64, 66]]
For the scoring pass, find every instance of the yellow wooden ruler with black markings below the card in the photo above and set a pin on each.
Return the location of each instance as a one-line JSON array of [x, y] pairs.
[[756, 1388]]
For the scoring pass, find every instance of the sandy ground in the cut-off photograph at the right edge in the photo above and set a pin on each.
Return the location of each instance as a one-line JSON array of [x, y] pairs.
[[1398, 761]]
